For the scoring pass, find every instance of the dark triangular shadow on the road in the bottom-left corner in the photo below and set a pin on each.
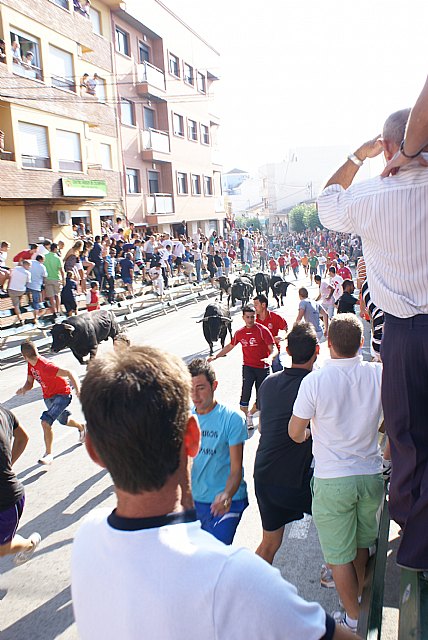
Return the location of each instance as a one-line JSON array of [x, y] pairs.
[[46, 622]]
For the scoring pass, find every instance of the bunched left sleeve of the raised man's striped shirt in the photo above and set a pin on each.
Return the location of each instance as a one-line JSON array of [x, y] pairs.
[[334, 209]]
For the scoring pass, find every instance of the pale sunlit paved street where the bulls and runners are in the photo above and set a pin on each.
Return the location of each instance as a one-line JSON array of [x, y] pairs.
[[35, 599]]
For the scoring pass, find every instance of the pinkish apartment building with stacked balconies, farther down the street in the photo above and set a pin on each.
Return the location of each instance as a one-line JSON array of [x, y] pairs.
[[166, 75]]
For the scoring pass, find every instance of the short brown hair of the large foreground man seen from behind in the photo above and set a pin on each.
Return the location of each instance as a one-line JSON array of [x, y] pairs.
[[136, 409]]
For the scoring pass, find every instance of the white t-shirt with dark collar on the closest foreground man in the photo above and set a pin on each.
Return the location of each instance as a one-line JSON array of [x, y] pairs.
[[177, 581]]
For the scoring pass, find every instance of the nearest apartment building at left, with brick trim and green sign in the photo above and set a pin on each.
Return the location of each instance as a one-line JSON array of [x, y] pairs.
[[59, 160]]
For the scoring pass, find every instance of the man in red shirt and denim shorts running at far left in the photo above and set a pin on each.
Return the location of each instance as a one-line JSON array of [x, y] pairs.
[[56, 394]]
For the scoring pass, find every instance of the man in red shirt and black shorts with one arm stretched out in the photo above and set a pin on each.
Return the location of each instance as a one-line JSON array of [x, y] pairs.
[[258, 350]]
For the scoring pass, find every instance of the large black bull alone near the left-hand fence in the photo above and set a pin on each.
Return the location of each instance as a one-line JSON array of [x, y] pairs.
[[83, 333]]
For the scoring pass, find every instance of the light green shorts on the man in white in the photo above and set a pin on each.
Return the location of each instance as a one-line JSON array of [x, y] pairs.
[[345, 512]]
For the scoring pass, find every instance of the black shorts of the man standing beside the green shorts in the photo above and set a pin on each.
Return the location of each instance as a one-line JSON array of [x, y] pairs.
[[280, 505]]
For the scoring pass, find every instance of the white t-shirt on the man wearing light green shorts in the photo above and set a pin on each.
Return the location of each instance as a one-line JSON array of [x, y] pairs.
[[343, 400]]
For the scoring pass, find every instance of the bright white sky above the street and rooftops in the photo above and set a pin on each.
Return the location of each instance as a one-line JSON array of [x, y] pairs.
[[308, 72]]
